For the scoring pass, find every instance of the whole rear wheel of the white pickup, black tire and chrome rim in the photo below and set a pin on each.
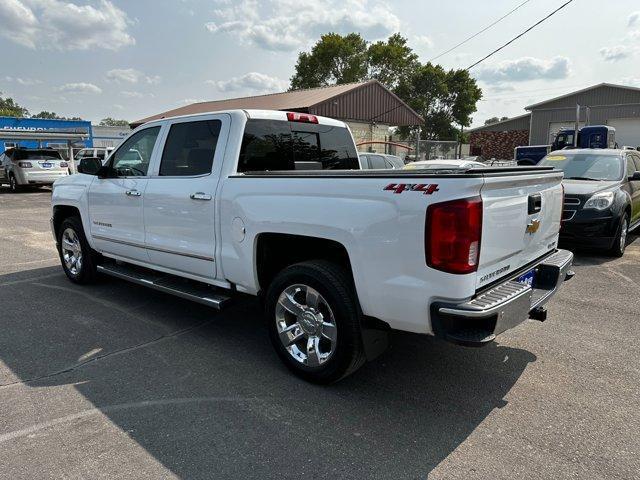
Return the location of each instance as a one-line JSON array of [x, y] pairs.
[[314, 321]]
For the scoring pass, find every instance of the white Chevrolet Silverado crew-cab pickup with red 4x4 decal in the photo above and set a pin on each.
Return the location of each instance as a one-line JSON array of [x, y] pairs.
[[213, 206]]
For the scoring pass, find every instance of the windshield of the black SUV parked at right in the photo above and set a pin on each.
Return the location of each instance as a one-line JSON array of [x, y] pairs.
[[586, 166]]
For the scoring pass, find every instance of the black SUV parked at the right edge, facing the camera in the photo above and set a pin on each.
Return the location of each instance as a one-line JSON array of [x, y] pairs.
[[602, 196]]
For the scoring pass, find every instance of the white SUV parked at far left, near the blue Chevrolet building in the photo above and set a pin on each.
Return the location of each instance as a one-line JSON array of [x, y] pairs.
[[20, 167]]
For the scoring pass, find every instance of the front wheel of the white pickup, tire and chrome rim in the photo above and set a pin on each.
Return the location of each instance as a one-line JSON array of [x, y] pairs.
[[79, 260]]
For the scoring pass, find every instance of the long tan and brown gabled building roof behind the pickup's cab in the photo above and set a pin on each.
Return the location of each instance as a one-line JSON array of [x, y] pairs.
[[363, 101]]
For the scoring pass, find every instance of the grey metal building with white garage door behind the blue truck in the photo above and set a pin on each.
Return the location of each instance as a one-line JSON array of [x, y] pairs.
[[604, 104]]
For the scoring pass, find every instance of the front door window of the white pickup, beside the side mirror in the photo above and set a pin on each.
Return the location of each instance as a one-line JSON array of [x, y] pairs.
[[133, 157]]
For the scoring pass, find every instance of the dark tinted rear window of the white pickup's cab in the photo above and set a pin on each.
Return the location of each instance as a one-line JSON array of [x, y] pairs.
[[278, 145]]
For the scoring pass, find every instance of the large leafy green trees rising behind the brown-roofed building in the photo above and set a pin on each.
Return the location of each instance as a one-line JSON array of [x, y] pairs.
[[445, 99]]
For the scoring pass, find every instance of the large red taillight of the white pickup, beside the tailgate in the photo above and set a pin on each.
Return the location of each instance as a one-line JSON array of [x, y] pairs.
[[452, 235]]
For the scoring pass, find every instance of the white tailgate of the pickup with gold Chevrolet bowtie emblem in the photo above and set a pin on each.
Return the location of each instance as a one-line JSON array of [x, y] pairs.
[[521, 221]]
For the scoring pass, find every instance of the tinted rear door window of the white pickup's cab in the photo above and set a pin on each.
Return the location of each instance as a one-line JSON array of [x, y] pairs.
[[190, 148]]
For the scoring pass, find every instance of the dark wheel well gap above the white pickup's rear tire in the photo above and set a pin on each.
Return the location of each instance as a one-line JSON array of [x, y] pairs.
[[275, 251]]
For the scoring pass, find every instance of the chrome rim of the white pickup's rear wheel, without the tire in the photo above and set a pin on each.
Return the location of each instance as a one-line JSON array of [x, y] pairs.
[[306, 325]]
